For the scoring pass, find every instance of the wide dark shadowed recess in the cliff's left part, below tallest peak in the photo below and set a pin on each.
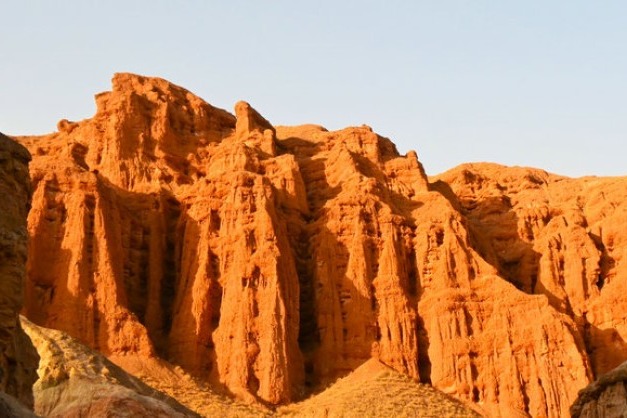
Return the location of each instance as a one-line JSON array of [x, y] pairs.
[[136, 235]]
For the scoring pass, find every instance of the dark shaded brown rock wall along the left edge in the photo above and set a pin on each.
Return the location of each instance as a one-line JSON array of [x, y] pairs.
[[18, 360]]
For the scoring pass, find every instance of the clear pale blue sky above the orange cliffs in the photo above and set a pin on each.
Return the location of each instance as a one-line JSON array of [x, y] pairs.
[[536, 83]]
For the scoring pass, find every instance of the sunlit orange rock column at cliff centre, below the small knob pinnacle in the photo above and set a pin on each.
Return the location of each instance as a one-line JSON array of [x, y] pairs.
[[256, 341]]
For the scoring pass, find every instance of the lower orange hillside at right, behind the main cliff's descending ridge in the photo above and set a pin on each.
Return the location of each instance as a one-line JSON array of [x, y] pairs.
[[555, 236]]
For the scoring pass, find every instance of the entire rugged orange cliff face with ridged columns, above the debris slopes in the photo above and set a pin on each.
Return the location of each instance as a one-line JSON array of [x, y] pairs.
[[270, 261]]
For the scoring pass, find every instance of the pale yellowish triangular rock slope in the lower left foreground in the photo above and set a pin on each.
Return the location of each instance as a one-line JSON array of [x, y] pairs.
[[75, 381]]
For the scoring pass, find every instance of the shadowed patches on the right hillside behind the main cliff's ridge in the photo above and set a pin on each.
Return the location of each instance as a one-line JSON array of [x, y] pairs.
[[494, 233]]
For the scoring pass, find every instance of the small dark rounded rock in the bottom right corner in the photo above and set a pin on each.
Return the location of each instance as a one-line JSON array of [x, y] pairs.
[[604, 398]]
